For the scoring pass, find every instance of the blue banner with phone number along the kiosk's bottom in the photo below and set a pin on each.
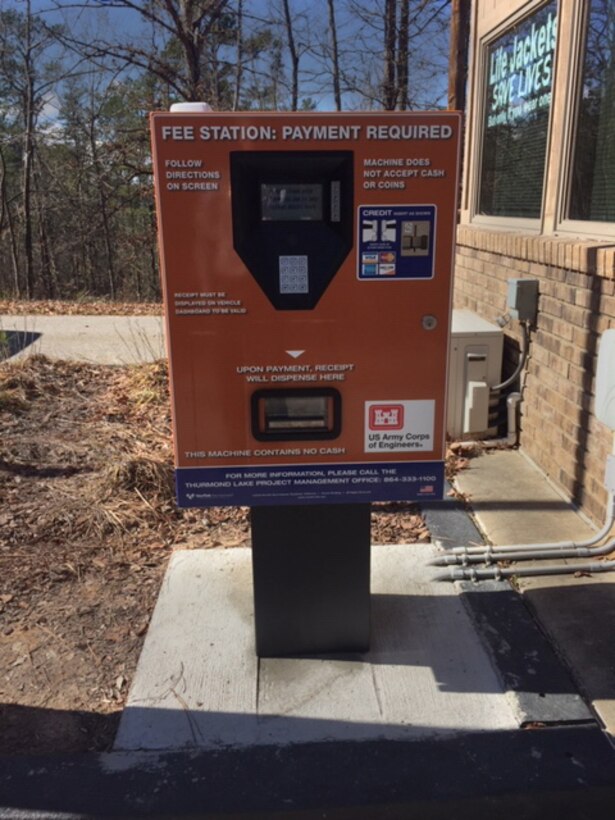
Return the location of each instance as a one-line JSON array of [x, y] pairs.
[[309, 484]]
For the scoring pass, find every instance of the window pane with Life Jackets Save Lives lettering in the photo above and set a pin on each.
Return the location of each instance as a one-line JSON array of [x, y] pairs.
[[519, 76]]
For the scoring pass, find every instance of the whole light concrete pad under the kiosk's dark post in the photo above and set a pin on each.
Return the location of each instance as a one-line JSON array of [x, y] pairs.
[[199, 685]]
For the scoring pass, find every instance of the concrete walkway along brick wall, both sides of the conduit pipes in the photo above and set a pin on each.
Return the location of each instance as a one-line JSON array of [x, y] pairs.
[[513, 503]]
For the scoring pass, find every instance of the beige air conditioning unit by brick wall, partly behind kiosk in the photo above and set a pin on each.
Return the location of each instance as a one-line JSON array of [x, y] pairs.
[[475, 364]]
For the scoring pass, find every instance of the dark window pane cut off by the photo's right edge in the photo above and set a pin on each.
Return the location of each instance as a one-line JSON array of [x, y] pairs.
[[592, 194]]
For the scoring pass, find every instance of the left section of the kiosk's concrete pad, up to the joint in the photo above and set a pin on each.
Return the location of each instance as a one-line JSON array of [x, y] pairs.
[[197, 675]]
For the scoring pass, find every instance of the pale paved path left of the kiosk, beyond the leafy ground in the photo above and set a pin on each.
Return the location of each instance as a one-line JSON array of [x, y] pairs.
[[95, 339]]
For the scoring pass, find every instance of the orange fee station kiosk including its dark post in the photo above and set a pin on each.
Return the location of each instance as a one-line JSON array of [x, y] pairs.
[[306, 264]]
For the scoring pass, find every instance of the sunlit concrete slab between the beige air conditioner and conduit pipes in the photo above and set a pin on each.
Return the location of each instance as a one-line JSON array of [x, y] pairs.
[[514, 503]]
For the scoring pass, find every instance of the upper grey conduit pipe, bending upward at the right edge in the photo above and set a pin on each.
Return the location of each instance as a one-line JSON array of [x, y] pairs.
[[563, 549]]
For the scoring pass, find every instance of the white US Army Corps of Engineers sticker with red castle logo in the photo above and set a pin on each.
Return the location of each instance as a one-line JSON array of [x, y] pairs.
[[399, 426]]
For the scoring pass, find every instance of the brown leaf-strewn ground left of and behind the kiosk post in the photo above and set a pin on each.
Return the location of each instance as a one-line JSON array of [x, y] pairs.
[[87, 523]]
